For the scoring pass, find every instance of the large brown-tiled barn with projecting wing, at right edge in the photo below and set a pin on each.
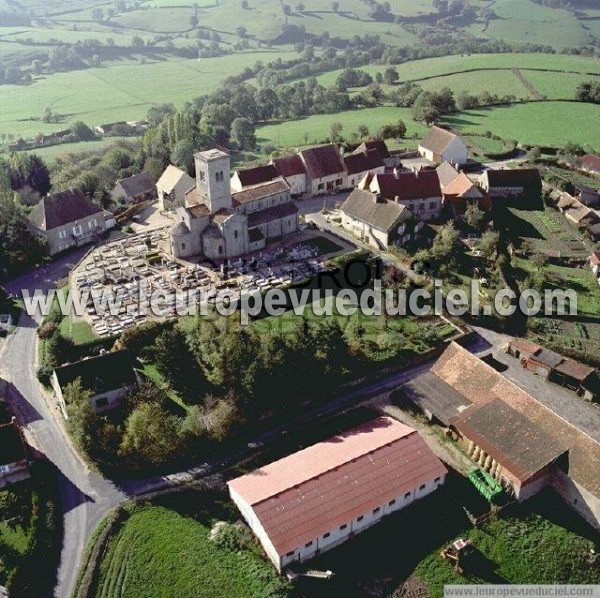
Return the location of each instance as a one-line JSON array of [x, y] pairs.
[[526, 435]]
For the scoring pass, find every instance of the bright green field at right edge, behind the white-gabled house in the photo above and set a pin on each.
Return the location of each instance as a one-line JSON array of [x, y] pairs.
[[535, 123]]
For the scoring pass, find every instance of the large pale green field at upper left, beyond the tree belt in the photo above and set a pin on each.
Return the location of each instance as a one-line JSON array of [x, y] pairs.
[[123, 90]]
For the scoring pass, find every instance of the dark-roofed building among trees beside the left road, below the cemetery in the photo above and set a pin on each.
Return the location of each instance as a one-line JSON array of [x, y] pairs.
[[108, 376]]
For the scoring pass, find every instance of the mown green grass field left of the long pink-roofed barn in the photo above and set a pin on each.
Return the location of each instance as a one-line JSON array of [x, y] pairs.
[[163, 550]]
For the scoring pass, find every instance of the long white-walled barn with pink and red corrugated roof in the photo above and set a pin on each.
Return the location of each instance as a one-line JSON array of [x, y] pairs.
[[322, 496]]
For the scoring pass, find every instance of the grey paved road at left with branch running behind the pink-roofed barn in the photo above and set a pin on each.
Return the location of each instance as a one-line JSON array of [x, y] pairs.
[[87, 496]]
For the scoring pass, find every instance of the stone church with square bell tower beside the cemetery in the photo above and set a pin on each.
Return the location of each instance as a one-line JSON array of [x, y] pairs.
[[217, 224]]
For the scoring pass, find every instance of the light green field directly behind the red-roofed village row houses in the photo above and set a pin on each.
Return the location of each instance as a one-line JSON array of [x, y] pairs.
[[315, 129]]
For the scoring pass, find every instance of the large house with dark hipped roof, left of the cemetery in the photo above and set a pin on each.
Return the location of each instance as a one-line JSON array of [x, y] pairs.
[[67, 219]]
